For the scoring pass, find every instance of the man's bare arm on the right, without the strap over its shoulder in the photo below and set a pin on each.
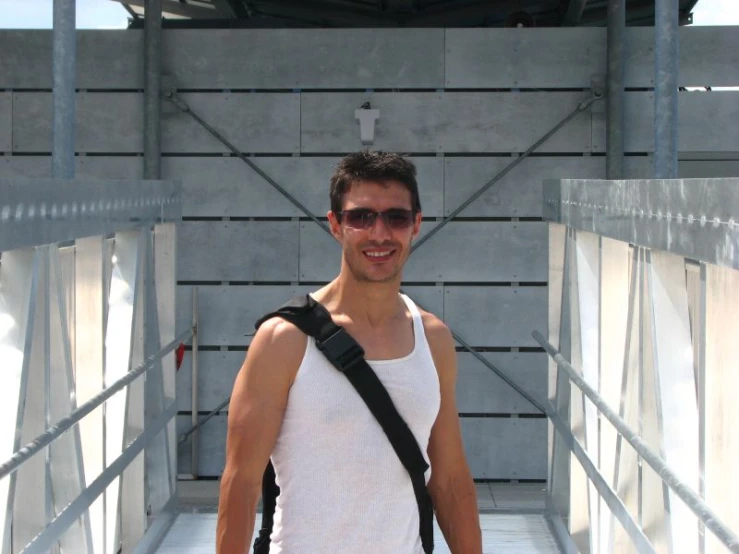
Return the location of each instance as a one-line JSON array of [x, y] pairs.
[[451, 486]]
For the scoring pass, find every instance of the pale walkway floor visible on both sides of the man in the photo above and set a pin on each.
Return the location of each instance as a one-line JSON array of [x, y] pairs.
[[510, 516]]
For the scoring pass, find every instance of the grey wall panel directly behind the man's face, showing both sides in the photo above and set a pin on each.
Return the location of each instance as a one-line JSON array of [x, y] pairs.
[[472, 251]]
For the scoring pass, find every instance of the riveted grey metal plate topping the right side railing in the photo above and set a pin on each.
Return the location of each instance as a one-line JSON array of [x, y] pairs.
[[696, 218]]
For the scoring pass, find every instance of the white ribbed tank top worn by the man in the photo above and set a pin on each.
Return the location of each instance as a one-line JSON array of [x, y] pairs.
[[342, 487]]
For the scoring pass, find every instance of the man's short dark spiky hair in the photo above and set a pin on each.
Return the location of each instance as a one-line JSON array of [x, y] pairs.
[[378, 167]]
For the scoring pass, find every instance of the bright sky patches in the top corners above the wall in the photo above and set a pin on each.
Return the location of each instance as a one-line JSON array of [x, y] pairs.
[[106, 14]]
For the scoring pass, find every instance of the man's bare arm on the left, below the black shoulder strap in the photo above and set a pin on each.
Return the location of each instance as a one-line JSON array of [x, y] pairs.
[[255, 416]]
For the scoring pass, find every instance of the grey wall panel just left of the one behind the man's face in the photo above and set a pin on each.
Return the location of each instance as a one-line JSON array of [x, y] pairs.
[[238, 251]]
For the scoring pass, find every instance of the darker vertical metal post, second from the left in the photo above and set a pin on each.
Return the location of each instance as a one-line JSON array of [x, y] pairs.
[[152, 88]]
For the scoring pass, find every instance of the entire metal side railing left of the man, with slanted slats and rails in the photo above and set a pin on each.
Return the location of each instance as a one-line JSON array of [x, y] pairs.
[[87, 433]]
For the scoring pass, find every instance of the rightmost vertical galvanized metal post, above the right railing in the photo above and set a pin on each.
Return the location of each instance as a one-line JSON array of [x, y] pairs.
[[666, 47]]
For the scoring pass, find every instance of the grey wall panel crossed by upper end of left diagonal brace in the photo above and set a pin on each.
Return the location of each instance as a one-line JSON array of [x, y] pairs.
[[252, 122]]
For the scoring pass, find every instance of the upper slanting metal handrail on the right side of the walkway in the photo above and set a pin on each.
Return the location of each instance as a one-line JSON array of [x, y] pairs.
[[686, 494]]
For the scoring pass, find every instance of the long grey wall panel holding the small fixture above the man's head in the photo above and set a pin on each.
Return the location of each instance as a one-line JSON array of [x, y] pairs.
[[445, 122]]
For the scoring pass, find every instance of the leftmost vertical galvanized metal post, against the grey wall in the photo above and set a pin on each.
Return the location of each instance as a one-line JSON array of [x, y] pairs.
[[63, 78]]
